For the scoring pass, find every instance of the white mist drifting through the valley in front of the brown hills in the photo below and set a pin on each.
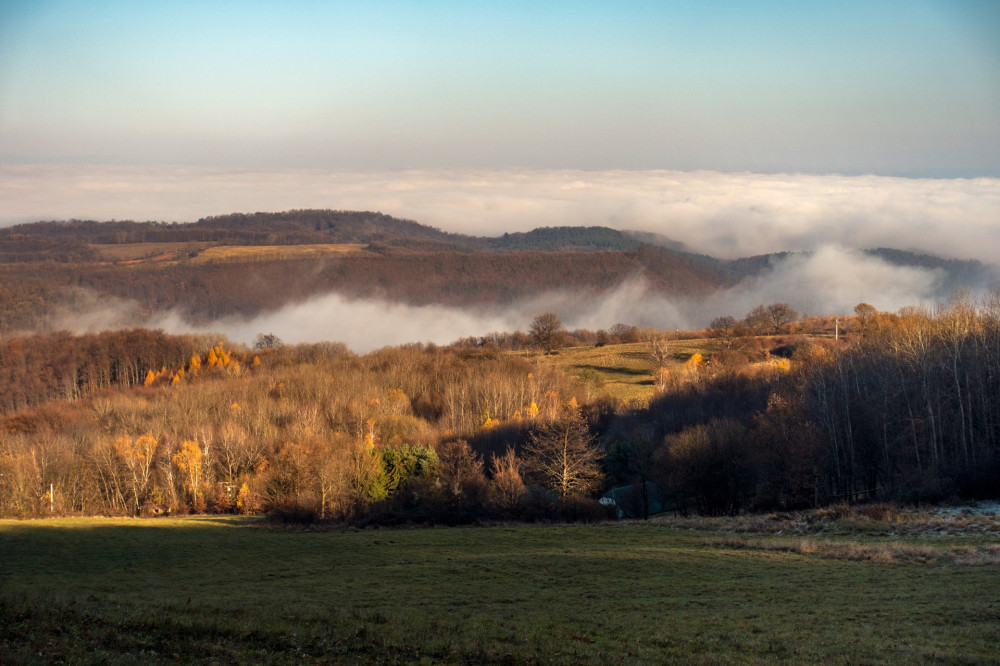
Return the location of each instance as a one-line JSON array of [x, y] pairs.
[[830, 281]]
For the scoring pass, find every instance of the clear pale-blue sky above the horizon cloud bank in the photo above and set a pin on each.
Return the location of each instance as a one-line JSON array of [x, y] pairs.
[[895, 88]]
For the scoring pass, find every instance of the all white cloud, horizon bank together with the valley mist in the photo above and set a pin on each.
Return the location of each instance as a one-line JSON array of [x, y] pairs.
[[727, 215]]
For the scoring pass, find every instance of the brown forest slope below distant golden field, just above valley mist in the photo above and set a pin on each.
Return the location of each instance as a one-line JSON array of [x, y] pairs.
[[35, 293]]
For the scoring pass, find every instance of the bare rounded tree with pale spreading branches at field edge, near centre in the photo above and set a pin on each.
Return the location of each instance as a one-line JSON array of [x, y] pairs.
[[562, 456]]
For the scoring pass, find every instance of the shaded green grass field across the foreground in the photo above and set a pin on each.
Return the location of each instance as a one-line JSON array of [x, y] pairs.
[[223, 590]]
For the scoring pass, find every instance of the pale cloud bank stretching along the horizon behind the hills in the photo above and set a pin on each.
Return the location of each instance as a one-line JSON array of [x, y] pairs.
[[724, 214]]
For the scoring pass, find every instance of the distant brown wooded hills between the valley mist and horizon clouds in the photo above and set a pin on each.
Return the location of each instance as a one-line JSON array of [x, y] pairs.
[[245, 264]]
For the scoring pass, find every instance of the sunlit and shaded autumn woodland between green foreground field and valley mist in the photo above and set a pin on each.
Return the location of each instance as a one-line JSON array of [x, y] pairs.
[[902, 407]]
